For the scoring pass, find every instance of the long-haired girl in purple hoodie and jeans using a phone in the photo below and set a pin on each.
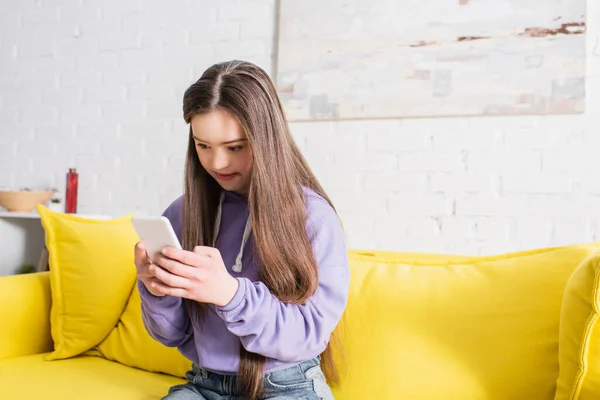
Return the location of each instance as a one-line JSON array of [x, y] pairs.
[[263, 279]]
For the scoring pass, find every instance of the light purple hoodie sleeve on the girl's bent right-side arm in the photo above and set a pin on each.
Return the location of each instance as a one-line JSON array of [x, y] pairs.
[[289, 332]]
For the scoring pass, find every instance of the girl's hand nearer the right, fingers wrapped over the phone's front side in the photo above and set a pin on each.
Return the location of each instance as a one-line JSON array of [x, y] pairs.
[[198, 275]]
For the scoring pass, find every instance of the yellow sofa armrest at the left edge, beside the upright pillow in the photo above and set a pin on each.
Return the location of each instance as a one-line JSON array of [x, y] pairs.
[[25, 315]]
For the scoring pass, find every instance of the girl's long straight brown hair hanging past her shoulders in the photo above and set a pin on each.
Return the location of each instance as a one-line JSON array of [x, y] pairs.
[[279, 174]]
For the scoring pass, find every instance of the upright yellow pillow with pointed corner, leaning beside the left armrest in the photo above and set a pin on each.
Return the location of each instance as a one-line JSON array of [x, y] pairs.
[[91, 278]]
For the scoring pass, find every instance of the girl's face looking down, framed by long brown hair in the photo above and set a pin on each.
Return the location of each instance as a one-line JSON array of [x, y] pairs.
[[223, 149]]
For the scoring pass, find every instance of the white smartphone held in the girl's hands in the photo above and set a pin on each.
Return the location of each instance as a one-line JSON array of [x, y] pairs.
[[156, 232]]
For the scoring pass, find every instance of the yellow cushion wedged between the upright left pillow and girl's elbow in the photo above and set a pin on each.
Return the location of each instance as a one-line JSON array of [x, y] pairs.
[[130, 344]]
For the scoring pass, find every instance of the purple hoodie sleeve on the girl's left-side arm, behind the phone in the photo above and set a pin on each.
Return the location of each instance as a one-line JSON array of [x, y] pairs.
[[165, 318]]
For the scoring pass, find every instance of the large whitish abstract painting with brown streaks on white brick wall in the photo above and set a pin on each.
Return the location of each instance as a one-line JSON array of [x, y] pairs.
[[397, 59]]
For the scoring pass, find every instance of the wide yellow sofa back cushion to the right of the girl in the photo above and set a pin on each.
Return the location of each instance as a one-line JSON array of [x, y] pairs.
[[425, 327]]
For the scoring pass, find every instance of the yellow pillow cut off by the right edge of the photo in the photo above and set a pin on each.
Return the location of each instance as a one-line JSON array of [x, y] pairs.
[[579, 340]]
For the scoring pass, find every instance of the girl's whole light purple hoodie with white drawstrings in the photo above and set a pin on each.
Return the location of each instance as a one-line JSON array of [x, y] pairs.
[[285, 334]]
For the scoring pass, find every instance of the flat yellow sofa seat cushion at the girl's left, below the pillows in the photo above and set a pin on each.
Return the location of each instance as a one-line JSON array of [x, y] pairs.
[[90, 378]]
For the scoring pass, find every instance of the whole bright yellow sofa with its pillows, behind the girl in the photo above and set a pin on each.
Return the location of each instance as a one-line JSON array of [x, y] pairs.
[[516, 326]]
